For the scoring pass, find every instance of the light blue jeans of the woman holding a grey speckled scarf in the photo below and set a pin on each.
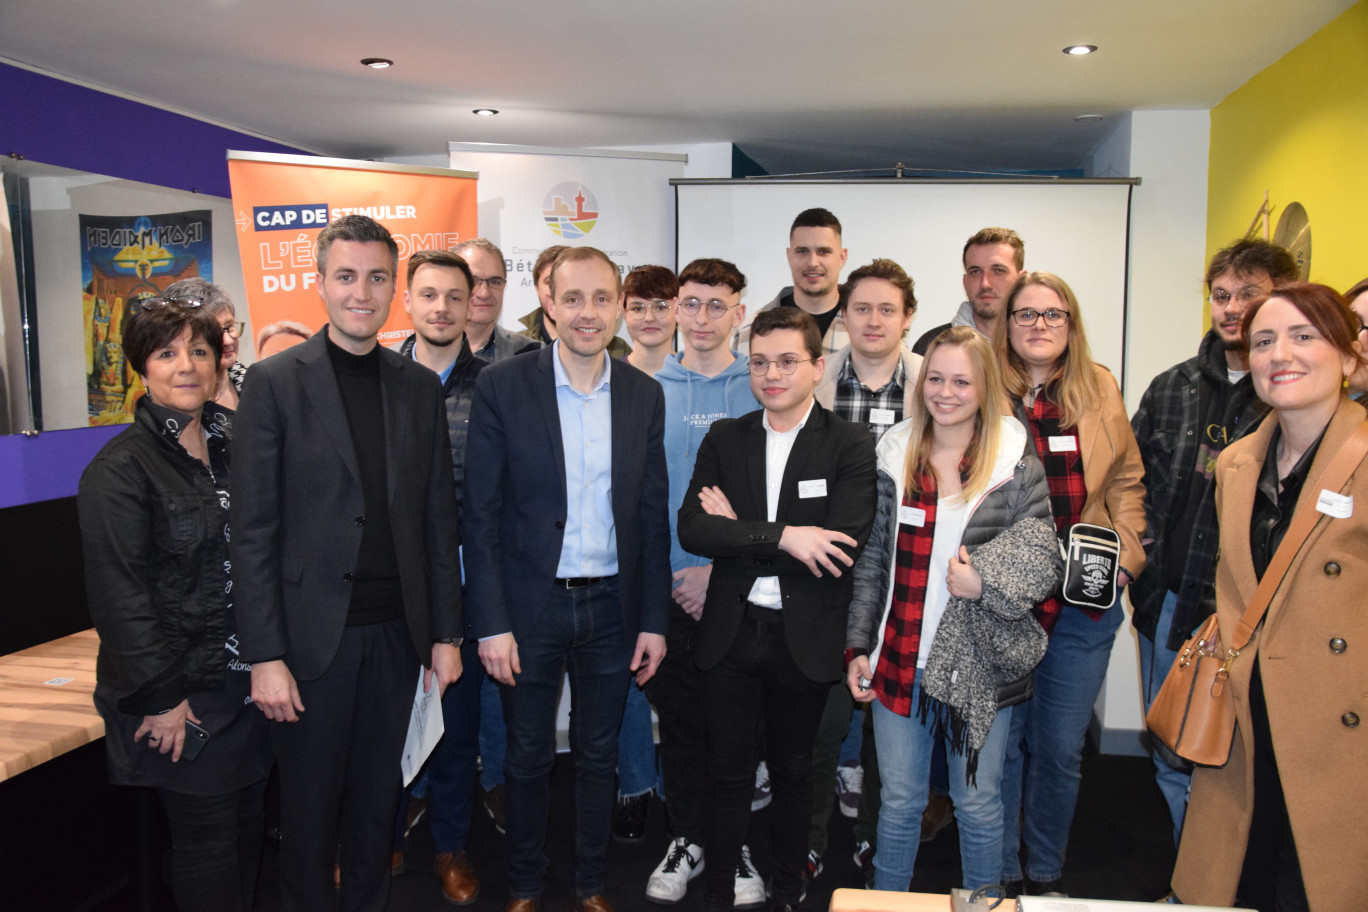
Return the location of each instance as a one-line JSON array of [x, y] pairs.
[[905, 749]]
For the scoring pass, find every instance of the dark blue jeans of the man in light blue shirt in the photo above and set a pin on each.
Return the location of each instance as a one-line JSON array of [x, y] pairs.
[[582, 630]]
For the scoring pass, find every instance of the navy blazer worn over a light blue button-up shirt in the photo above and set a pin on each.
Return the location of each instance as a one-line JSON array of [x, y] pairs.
[[515, 496]]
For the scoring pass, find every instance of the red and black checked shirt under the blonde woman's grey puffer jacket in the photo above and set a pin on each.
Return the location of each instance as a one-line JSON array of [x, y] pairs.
[[897, 671]]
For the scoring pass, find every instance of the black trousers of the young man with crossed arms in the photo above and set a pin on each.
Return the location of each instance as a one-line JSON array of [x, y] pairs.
[[757, 682]]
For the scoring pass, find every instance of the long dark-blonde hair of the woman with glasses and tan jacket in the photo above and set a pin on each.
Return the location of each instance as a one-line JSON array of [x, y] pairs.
[[1073, 379]]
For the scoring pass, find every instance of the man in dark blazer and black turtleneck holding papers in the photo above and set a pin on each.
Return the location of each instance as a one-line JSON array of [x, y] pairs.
[[348, 580]]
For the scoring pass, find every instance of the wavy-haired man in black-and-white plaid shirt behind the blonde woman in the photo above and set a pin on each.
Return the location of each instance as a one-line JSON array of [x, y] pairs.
[[871, 384]]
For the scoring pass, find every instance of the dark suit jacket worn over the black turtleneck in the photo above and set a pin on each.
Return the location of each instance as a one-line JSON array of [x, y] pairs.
[[298, 508]]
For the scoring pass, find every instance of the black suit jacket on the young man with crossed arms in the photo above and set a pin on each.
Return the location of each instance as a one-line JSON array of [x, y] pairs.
[[733, 457]]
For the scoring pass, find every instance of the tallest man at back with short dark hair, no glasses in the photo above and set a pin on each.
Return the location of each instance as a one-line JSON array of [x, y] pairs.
[[816, 259]]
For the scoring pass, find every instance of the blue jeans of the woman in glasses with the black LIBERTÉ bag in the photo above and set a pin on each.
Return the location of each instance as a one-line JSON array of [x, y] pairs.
[[1044, 761]]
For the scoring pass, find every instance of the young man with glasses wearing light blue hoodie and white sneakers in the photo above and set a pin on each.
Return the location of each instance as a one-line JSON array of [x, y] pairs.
[[705, 382]]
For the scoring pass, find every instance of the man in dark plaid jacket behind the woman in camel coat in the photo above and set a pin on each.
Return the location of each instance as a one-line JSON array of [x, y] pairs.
[[1187, 418]]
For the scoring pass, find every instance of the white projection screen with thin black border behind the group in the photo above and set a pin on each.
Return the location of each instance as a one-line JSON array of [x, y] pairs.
[[1076, 229]]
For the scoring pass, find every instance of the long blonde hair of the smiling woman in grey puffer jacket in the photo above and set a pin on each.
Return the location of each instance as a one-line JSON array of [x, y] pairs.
[[983, 451]]
